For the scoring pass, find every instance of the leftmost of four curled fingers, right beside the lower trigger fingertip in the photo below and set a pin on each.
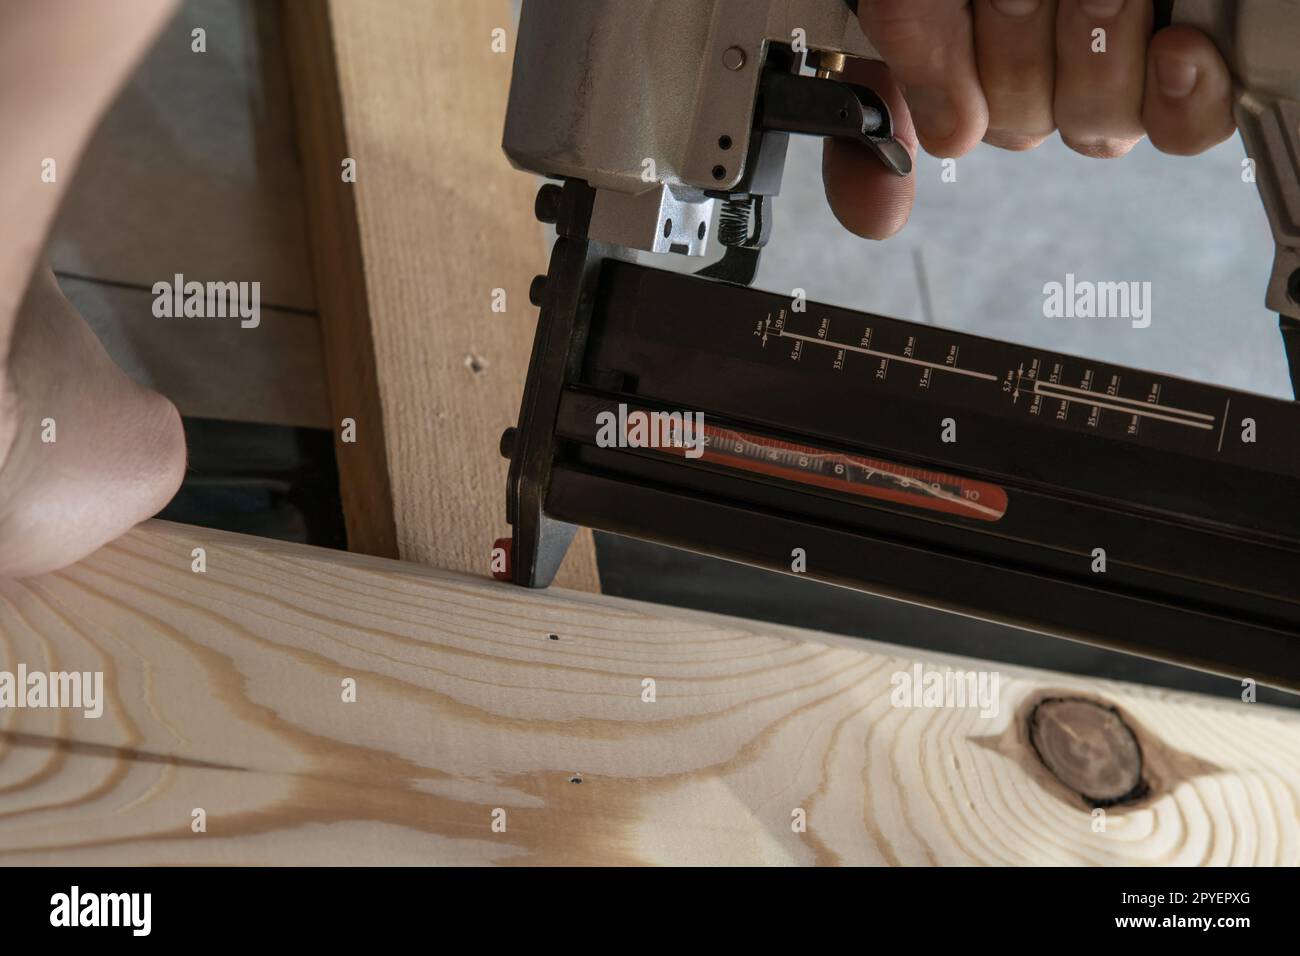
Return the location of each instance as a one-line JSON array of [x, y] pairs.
[[930, 49]]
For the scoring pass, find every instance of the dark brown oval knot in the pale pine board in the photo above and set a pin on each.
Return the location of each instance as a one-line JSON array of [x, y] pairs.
[[1090, 749]]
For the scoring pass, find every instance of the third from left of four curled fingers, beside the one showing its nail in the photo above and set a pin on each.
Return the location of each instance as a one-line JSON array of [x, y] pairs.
[[1102, 55]]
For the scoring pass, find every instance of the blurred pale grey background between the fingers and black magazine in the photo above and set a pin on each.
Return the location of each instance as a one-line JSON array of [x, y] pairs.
[[978, 252]]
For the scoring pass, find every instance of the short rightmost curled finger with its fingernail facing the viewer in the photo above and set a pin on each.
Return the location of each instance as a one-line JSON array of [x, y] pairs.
[[1189, 103]]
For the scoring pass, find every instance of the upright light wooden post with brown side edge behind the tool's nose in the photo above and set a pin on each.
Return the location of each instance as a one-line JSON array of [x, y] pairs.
[[409, 259]]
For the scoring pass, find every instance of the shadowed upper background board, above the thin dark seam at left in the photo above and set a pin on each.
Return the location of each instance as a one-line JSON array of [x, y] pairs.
[[194, 170]]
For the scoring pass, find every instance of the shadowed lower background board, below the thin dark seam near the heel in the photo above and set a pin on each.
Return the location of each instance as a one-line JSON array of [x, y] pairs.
[[274, 374]]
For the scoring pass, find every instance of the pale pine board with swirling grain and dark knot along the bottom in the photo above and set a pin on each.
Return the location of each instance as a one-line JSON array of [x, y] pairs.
[[224, 694]]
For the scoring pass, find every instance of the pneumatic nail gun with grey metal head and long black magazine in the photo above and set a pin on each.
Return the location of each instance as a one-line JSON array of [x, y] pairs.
[[1123, 508]]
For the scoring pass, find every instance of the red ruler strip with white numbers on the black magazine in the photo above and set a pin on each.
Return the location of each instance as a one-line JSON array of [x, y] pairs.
[[870, 478]]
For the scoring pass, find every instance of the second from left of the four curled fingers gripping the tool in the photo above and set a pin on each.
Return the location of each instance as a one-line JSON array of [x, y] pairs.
[[1016, 55]]
